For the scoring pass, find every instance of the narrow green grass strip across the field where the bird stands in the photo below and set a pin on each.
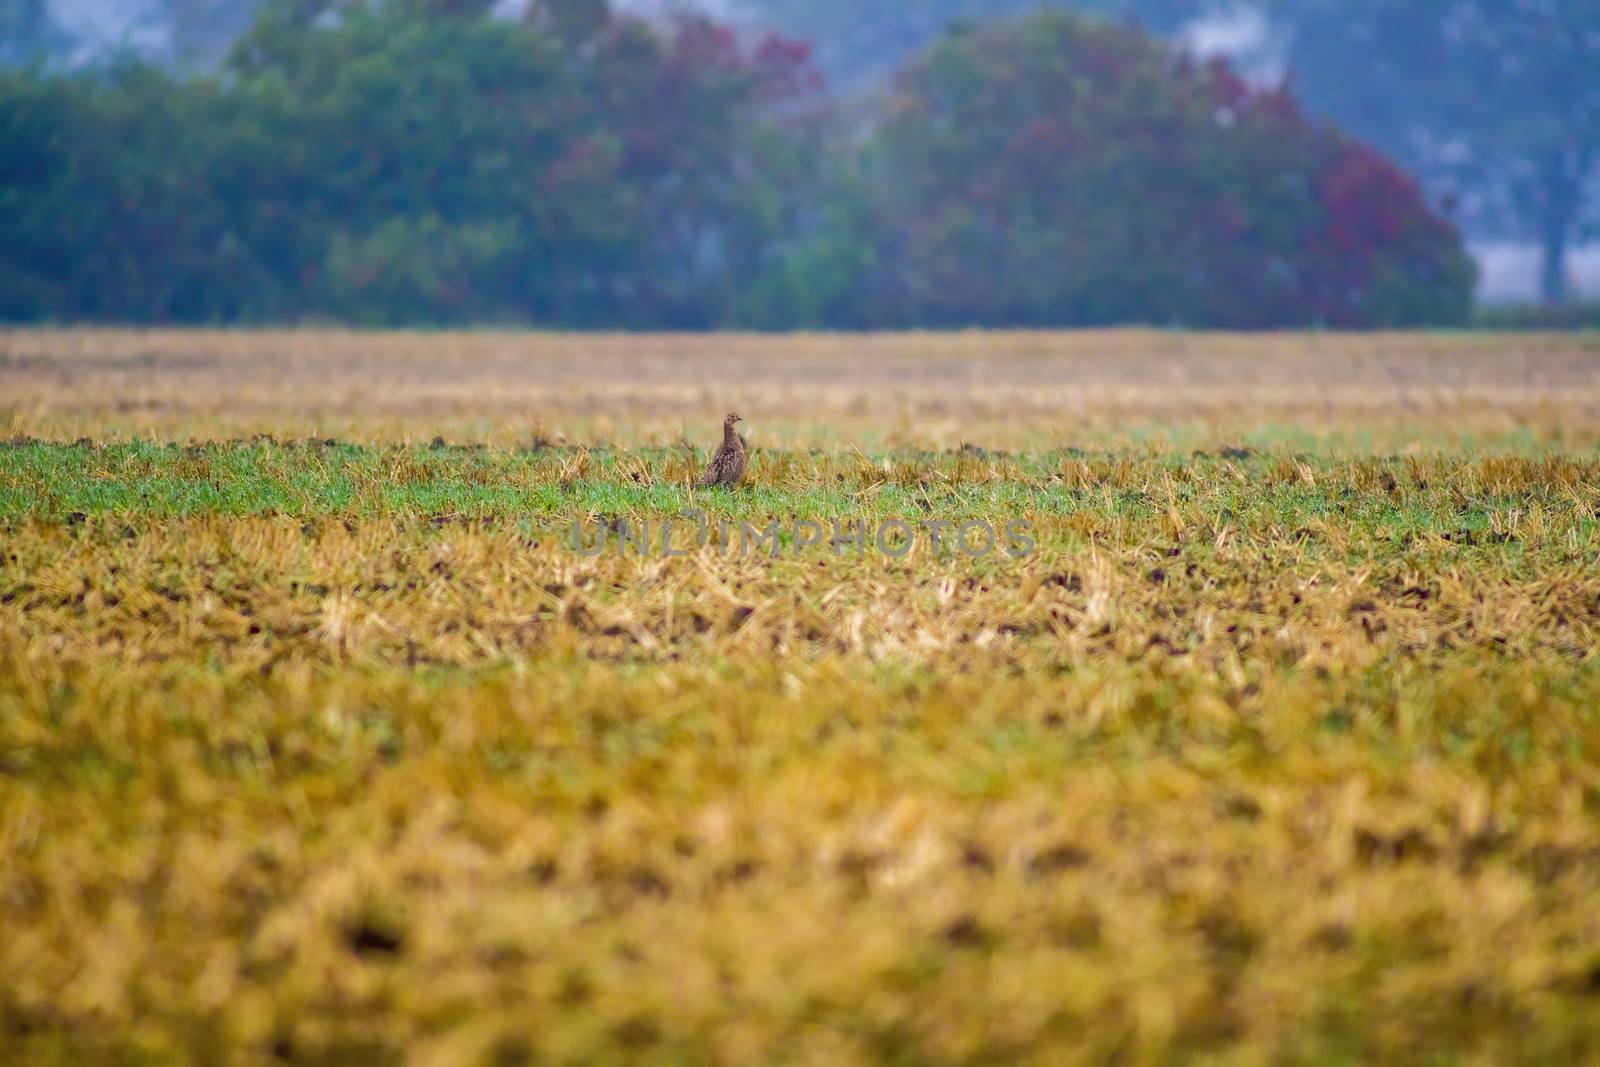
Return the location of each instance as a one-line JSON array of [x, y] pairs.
[[1441, 495]]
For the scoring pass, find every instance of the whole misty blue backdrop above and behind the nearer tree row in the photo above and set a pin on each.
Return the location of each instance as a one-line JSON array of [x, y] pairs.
[[1492, 105]]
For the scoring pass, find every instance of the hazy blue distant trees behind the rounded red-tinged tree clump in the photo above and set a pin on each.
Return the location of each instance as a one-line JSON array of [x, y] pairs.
[[1495, 105]]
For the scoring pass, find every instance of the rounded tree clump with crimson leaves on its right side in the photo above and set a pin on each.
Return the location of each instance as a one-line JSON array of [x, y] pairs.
[[1063, 172]]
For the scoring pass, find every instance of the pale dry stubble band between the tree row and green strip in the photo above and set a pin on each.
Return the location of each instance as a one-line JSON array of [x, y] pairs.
[[1007, 390]]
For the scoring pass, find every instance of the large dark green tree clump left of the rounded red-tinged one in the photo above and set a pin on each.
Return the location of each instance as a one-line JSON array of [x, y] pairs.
[[415, 161]]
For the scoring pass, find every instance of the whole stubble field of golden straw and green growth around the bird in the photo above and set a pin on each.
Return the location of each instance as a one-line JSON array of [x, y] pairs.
[[321, 743]]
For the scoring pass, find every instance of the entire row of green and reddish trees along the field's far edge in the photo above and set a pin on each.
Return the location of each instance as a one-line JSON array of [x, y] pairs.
[[422, 162]]
